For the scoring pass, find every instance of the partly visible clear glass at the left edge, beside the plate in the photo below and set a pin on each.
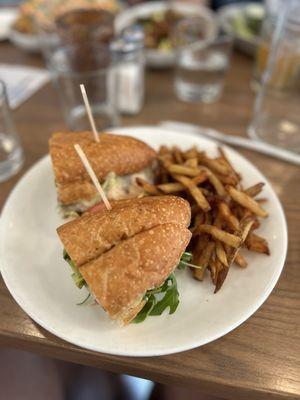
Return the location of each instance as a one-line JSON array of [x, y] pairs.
[[11, 154]]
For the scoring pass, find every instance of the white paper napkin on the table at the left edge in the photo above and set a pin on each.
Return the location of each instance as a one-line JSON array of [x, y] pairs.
[[22, 82]]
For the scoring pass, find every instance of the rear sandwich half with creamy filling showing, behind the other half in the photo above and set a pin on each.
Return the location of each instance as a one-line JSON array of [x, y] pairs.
[[116, 160]]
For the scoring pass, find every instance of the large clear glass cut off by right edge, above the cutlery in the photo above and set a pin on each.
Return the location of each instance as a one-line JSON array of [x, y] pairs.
[[276, 116]]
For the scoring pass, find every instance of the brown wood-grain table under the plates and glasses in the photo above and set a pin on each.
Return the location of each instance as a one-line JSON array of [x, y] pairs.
[[258, 360]]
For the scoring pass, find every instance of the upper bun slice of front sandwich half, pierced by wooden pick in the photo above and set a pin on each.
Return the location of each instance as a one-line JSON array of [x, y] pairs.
[[87, 237]]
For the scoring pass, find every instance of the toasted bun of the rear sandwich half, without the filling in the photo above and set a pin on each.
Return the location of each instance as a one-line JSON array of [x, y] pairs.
[[114, 153]]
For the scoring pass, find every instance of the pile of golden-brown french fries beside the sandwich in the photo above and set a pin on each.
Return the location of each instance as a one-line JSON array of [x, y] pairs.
[[225, 215]]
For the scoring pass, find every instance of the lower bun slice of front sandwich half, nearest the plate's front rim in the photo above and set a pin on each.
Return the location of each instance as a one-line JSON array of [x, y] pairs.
[[120, 277]]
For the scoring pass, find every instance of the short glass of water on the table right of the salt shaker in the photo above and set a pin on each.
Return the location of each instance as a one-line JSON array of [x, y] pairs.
[[201, 64]]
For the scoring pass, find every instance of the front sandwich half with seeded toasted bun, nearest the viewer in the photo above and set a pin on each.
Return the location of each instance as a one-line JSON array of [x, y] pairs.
[[123, 254]]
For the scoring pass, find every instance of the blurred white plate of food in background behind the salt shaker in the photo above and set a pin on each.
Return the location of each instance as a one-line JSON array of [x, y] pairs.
[[156, 58]]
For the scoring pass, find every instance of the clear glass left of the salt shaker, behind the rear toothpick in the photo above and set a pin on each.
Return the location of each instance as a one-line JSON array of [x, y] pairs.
[[90, 65]]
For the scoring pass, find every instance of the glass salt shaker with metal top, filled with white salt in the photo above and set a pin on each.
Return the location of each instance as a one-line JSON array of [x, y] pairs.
[[128, 53]]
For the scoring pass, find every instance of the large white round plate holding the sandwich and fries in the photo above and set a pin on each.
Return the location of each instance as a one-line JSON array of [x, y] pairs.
[[38, 278]]
